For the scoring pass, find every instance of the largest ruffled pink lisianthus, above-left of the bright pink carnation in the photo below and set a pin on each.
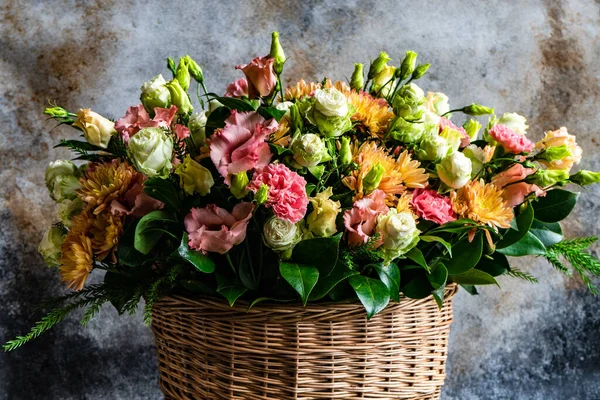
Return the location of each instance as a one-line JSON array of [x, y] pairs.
[[241, 145]]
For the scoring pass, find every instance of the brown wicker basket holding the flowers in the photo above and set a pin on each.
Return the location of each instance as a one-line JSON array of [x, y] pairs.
[[208, 350]]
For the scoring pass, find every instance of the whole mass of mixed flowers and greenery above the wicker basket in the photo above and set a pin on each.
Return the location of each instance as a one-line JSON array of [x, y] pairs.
[[322, 191]]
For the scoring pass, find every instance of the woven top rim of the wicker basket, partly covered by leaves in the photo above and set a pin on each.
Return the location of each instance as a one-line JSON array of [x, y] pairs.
[[292, 306]]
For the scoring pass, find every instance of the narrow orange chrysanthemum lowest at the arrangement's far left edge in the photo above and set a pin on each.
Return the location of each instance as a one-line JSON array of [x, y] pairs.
[[77, 257]]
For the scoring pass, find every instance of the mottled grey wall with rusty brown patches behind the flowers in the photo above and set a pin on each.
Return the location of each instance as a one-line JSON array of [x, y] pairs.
[[539, 58]]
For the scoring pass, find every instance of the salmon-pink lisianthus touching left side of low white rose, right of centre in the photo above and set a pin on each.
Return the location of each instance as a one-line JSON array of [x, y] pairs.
[[361, 219]]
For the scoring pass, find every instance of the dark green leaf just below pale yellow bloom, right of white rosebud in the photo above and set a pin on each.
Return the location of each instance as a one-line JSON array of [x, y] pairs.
[[321, 253]]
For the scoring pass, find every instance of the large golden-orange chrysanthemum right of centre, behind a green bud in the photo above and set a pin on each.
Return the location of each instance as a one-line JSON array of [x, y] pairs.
[[399, 173]]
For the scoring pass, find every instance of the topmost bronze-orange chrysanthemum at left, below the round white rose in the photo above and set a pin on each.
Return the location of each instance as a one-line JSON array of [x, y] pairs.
[[104, 183]]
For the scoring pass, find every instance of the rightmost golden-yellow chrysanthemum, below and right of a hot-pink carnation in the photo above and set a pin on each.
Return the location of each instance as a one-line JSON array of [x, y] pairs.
[[482, 203]]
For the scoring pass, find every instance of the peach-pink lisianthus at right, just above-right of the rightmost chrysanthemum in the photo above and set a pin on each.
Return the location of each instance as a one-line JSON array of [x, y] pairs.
[[515, 193]]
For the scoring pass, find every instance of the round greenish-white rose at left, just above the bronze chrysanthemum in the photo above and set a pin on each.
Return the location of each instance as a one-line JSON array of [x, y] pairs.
[[151, 151]]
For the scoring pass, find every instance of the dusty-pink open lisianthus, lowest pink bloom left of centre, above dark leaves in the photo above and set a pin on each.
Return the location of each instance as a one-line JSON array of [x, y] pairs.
[[214, 229]]
